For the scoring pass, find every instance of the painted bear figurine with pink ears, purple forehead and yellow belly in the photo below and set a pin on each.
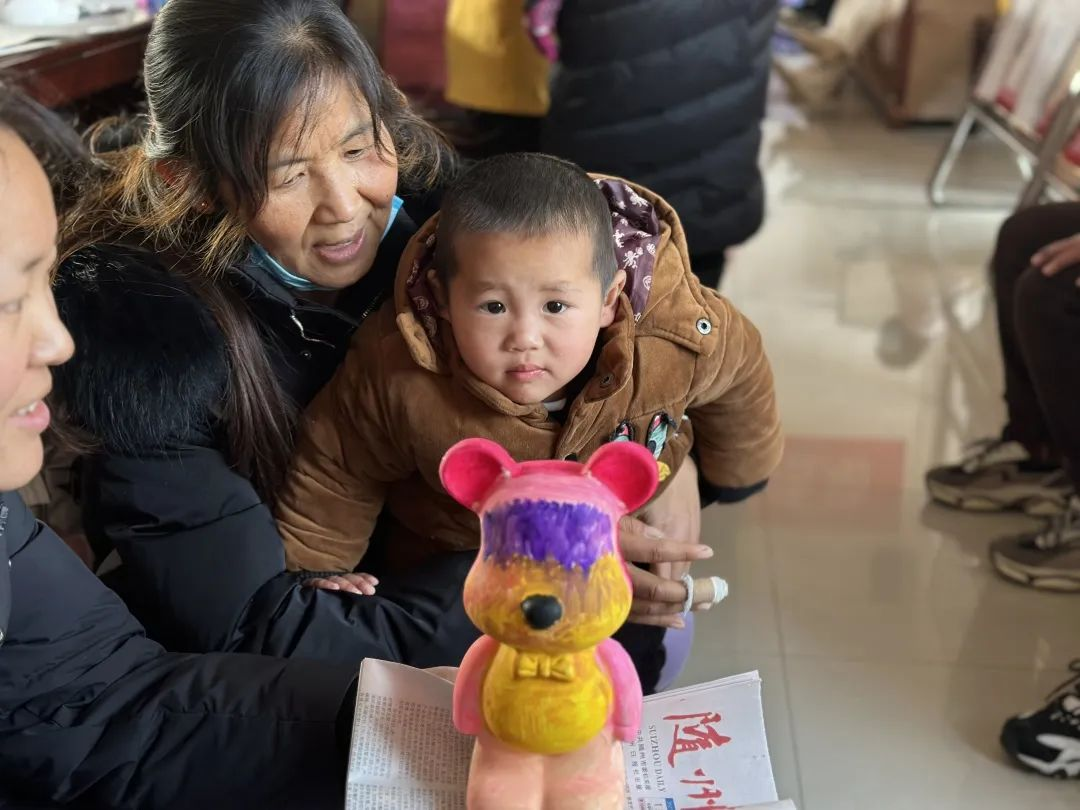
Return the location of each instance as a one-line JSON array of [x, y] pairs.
[[546, 691]]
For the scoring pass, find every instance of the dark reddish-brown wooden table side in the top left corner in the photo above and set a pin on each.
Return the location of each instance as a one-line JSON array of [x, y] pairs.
[[75, 71]]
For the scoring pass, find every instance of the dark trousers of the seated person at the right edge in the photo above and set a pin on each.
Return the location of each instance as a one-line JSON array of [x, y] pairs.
[[1039, 323]]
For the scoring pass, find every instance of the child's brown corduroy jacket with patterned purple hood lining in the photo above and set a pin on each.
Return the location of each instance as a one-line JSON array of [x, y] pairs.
[[680, 369]]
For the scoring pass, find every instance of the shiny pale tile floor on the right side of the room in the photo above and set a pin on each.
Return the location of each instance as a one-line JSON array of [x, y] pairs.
[[890, 653]]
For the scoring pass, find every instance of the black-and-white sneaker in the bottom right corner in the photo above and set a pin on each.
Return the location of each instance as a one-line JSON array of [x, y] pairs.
[[1048, 741]]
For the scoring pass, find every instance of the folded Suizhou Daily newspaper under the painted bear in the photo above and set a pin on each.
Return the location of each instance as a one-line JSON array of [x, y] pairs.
[[703, 747]]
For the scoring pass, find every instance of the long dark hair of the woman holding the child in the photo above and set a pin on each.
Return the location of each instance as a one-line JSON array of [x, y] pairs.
[[223, 77]]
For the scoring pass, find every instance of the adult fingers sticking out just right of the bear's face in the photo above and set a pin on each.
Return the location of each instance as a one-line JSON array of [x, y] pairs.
[[657, 601]]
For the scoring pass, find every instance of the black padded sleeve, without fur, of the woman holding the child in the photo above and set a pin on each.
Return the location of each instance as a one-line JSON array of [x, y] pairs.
[[205, 569]]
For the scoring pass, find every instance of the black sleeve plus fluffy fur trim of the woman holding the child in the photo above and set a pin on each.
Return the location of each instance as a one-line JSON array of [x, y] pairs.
[[204, 565]]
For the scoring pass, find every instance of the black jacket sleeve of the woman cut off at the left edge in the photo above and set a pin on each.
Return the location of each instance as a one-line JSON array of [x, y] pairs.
[[94, 713]]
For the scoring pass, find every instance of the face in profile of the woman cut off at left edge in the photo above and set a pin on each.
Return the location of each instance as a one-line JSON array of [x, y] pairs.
[[32, 335]]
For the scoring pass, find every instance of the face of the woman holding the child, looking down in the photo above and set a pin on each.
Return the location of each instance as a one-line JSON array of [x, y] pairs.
[[330, 195]]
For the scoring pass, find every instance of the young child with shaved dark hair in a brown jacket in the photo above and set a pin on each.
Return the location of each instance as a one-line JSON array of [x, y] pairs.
[[550, 313]]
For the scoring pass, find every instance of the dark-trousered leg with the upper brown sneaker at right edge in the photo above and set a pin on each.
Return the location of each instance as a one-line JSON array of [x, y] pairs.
[[1022, 468]]
